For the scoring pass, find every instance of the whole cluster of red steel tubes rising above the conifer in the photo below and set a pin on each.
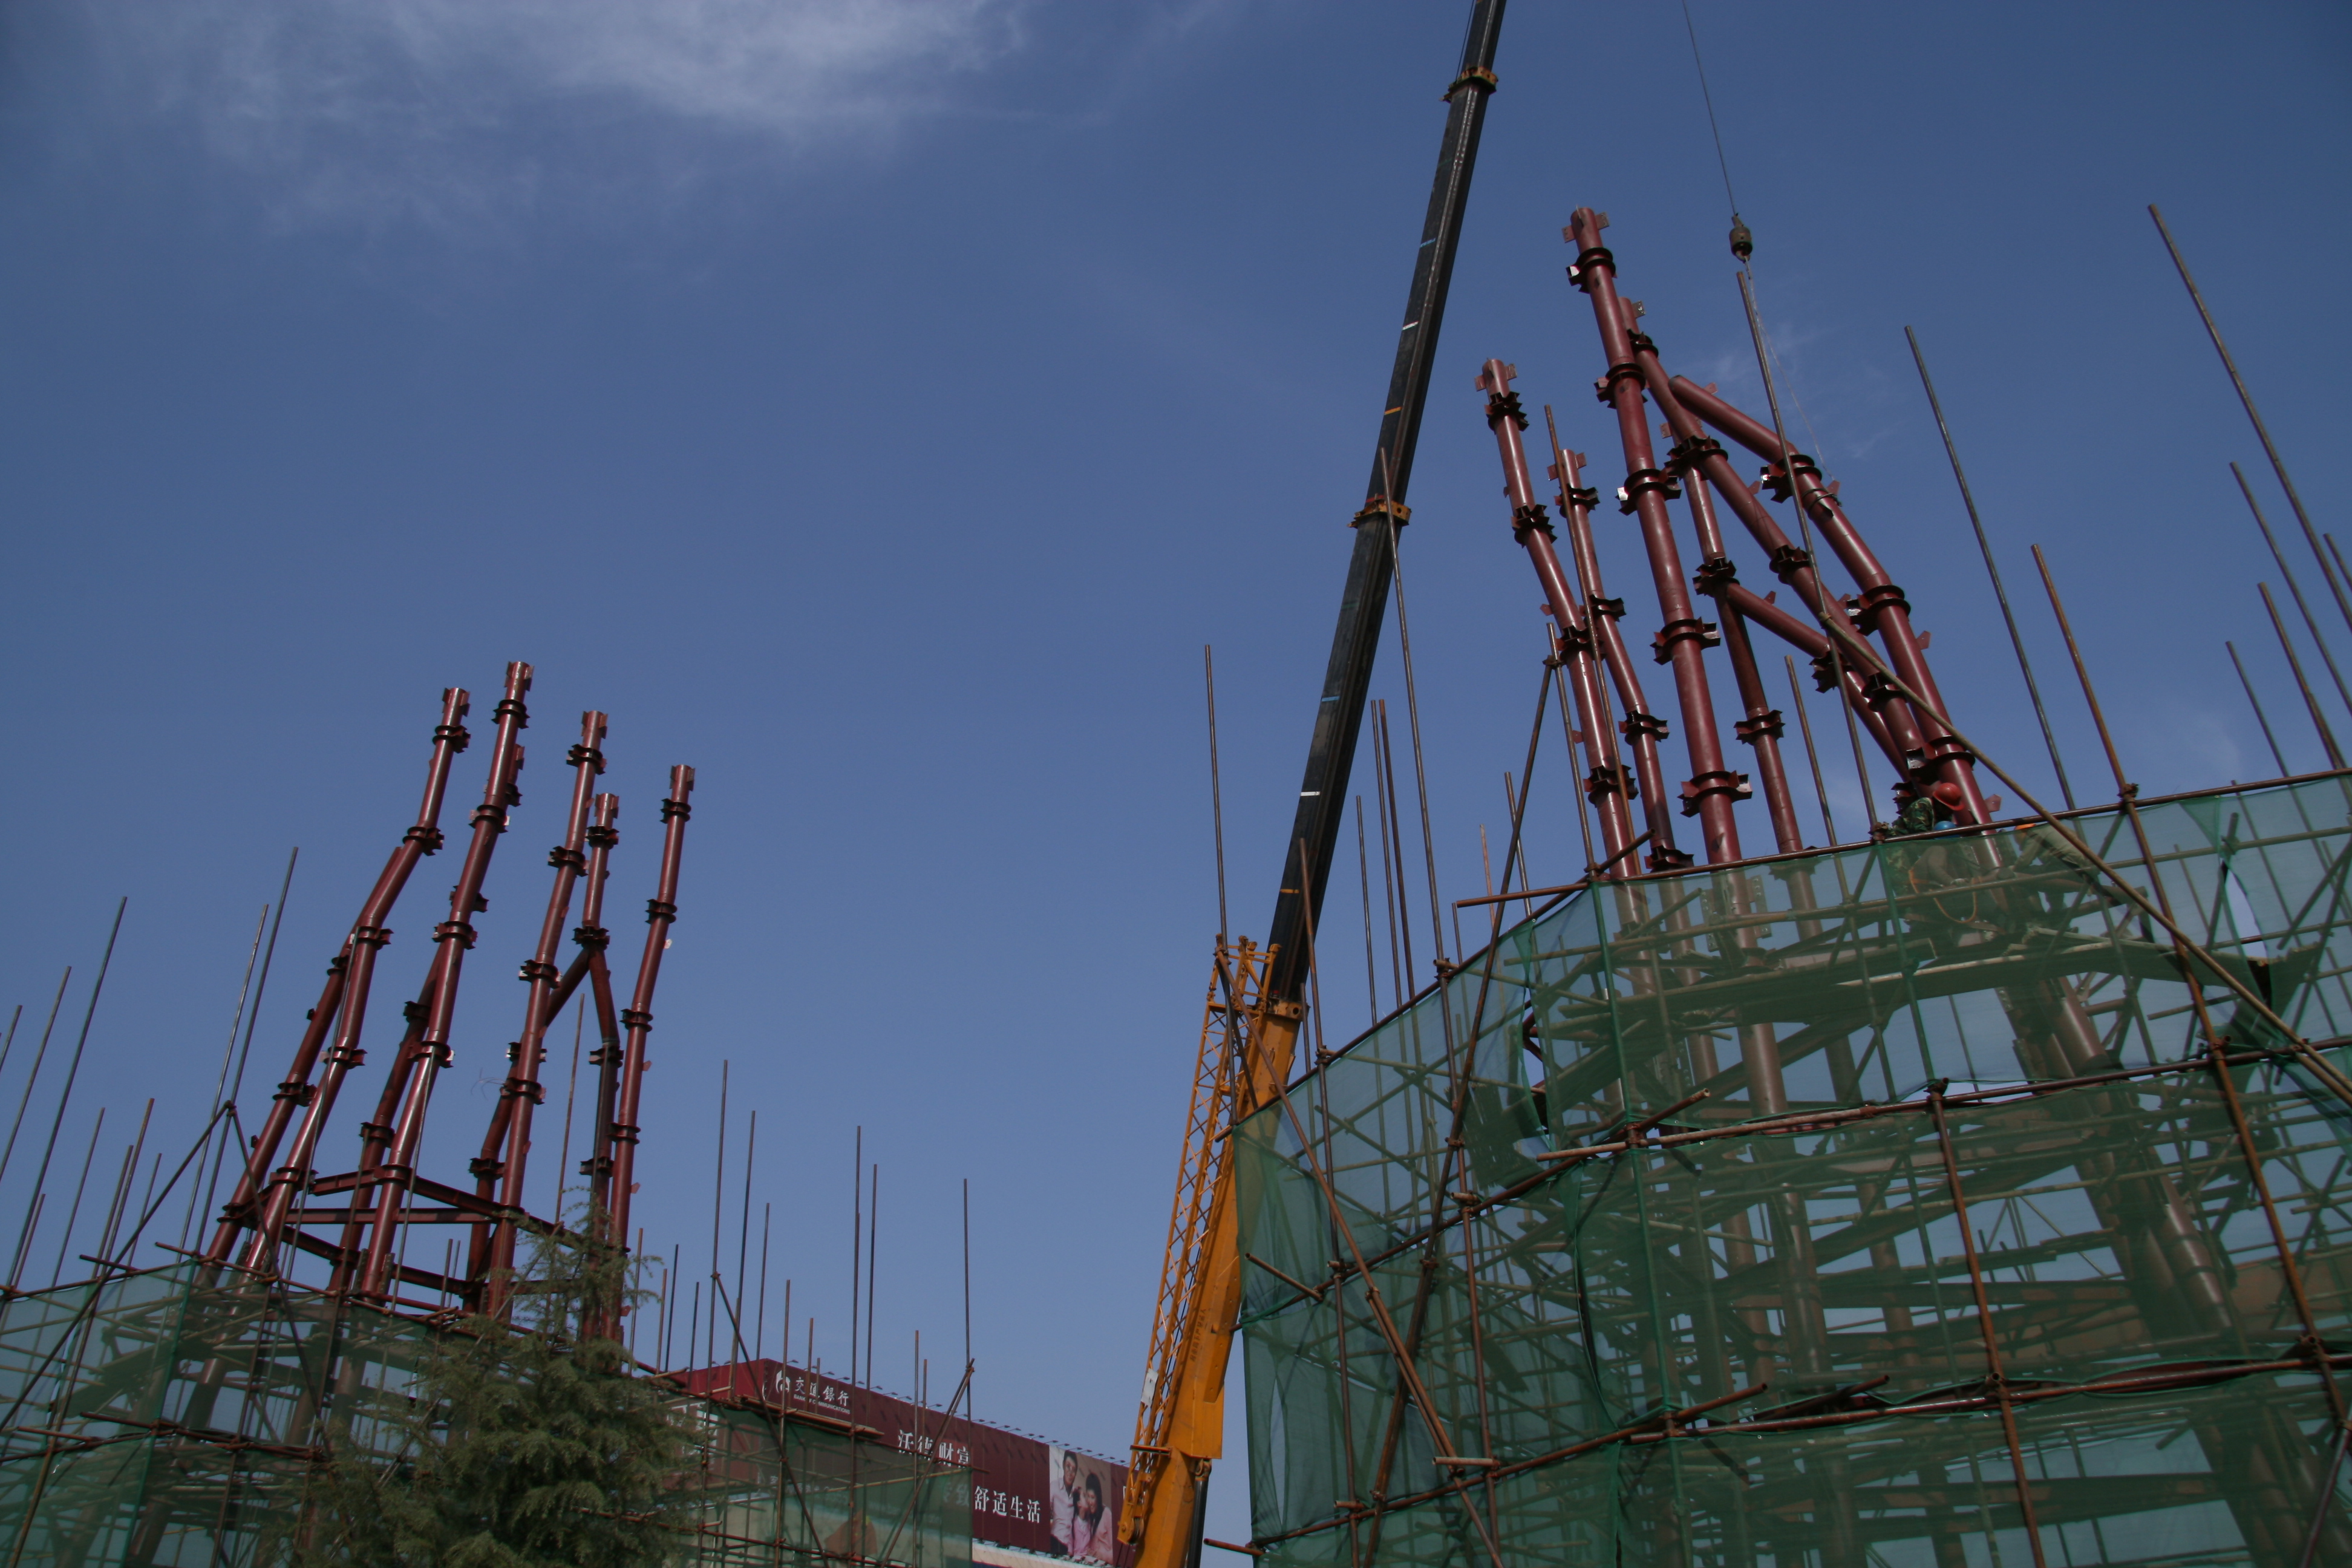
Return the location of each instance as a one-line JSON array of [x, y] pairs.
[[276, 1207]]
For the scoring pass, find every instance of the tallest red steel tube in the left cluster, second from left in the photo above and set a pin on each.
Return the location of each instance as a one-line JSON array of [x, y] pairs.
[[453, 937]]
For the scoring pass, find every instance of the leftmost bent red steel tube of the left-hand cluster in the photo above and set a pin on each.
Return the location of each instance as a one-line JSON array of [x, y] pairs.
[[342, 998]]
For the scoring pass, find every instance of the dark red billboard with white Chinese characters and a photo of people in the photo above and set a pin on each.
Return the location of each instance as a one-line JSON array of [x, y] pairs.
[[1027, 1494]]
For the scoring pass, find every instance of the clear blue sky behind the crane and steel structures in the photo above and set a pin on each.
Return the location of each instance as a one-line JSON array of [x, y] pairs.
[[878, 406]]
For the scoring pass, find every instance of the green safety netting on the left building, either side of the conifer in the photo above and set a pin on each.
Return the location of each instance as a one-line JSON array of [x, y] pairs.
[[171, 1419]]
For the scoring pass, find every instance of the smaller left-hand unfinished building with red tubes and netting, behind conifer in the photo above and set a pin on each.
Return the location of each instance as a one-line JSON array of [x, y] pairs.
[[180, 1414]]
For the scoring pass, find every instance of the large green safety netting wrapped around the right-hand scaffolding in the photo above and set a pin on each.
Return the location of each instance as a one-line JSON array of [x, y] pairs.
[[1751, 1332]]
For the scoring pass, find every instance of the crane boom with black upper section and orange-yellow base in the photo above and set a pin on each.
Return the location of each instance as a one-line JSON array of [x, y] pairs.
[[1250, 1040]]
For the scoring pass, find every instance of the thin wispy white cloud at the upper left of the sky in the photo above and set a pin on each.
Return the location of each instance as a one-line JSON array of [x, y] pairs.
[[460, 112]]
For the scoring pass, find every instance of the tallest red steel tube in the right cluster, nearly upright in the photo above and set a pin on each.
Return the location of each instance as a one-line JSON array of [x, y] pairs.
[[1713, 789]]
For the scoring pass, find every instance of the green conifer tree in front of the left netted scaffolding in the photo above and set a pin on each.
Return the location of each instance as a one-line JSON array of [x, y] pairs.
[[523, 1445]]
